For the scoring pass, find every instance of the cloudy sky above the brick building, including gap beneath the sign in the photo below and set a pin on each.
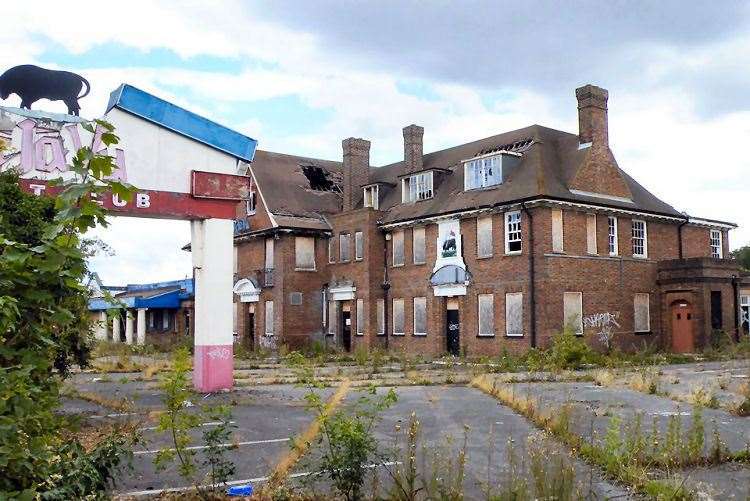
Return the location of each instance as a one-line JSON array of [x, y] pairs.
[[300, 76]]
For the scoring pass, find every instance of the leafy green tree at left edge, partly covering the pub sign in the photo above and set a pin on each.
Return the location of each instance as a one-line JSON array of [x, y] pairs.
[[45, 328]]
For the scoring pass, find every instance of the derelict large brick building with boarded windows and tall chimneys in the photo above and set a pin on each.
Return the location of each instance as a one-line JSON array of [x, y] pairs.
[[491, 245]]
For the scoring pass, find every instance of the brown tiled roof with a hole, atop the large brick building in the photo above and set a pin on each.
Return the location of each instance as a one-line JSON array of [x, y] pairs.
[[548, 163]]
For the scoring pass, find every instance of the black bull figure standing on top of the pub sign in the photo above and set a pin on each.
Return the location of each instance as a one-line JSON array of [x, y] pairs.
[[32, 83]]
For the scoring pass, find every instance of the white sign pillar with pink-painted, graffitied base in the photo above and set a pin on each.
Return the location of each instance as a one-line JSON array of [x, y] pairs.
[[212, 250]]
